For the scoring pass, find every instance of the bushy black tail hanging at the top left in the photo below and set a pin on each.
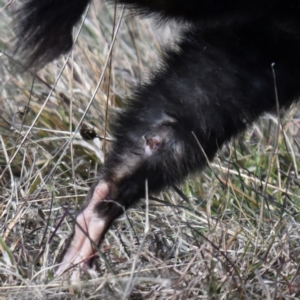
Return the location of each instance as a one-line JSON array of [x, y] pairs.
[[45, 29]]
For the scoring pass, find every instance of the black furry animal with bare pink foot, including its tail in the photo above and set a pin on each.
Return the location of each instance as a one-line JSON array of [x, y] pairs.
[[219, 82]]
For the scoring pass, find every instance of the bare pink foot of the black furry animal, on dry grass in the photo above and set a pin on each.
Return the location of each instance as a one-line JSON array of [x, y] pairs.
[[89, 229]]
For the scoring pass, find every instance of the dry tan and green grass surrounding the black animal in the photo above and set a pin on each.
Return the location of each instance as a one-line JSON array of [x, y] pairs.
[[233, 231]]
